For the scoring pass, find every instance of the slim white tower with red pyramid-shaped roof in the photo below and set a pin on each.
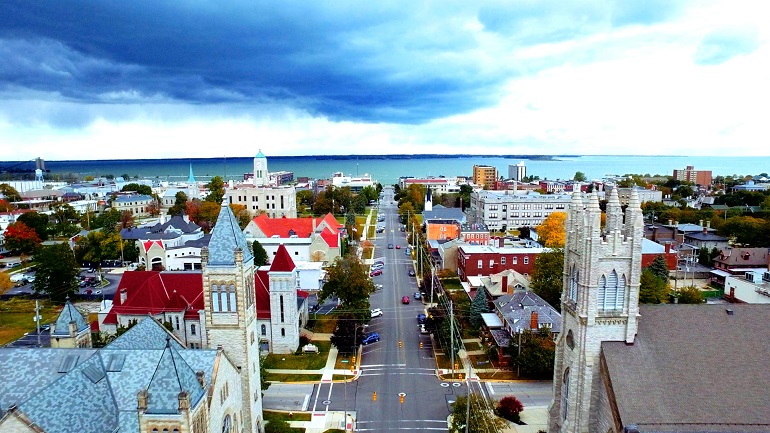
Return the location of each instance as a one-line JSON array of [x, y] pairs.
[[284, 317]]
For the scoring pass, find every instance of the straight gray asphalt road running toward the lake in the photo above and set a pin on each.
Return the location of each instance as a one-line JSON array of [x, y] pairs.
[[386, 368]]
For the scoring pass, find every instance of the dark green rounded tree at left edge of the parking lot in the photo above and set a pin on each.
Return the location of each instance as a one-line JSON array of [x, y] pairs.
[[57, 272]]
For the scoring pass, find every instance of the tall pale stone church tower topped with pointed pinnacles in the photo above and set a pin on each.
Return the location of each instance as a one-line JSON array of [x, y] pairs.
[[600, 302]]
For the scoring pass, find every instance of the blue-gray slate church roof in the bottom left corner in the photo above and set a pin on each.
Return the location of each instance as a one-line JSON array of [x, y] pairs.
[[95, 390]]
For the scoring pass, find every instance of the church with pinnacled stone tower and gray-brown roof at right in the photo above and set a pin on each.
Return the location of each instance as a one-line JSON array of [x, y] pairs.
[[621, 367]]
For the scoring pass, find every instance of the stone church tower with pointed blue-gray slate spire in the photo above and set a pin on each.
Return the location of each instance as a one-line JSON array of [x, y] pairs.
[[230, 310]]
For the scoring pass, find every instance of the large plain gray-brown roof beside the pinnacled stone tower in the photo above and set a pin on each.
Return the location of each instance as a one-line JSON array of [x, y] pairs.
[[694, 368]]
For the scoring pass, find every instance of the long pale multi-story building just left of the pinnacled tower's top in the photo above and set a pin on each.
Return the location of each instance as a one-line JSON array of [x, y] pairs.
[[505, 209]]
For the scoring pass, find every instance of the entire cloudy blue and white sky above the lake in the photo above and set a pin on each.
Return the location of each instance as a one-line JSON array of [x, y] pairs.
[[148, 79]]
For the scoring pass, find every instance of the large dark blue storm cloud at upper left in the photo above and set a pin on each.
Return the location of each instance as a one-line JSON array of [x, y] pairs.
[[332, 61]]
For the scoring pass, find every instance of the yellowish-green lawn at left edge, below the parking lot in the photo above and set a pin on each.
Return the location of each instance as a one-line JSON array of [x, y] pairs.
[[16, 317]]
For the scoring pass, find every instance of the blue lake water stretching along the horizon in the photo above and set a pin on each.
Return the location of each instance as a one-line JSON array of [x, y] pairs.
[[387, 169]]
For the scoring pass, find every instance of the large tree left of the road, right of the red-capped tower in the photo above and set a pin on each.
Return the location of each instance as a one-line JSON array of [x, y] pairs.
[[348, 279]]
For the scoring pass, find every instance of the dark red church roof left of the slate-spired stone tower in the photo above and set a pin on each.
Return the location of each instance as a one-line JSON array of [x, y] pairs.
[[151, 292]]
